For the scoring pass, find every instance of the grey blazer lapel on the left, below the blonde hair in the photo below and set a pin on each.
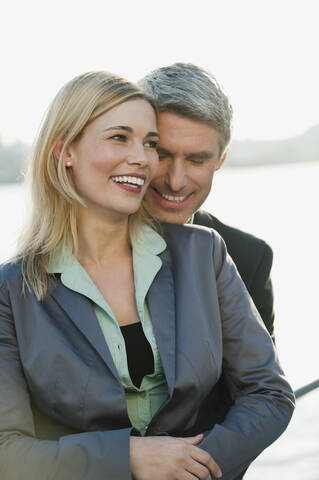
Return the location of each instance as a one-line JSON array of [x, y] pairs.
[[80, 311]]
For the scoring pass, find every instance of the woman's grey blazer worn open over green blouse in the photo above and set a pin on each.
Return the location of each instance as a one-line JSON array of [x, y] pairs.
[[62, 407]]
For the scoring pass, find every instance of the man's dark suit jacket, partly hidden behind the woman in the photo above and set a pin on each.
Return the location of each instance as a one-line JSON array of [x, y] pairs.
[[253, 259]]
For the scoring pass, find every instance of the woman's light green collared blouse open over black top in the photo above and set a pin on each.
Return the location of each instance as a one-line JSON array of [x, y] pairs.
[[142, 402]]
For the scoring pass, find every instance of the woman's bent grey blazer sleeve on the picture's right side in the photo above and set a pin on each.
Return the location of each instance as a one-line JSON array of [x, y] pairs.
[[263, 399]]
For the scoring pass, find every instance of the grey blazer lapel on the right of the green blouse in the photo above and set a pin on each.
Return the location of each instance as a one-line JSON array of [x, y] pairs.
[[161, 304]]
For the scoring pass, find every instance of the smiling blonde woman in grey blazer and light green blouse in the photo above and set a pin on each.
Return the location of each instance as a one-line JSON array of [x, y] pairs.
[[112, 335]]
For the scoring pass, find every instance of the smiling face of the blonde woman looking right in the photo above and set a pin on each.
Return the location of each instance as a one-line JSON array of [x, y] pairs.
[[115, 159]]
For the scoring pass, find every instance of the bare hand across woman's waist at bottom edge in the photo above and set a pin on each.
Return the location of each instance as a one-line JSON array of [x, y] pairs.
[[171, 458]]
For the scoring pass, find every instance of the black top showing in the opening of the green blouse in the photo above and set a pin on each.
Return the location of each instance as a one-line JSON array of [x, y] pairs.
[[139, 353]]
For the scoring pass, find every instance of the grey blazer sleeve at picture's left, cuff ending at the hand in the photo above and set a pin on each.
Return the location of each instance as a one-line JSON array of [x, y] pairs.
[[98, 455]]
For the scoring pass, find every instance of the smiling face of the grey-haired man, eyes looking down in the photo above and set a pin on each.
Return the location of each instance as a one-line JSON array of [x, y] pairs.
[[189, 155]]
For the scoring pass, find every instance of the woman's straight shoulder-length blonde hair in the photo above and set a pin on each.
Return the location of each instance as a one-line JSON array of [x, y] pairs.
[[53, 219]]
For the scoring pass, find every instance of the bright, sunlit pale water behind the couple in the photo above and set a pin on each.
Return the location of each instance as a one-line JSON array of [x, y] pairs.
[[280, 205]]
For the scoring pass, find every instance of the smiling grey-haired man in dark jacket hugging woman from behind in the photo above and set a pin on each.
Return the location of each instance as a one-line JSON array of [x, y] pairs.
[[195, 129]]
